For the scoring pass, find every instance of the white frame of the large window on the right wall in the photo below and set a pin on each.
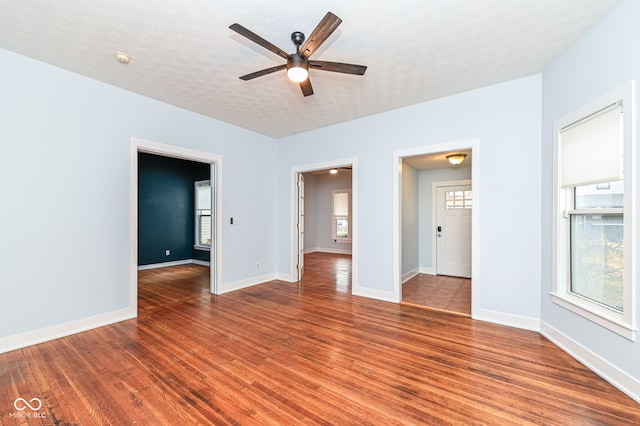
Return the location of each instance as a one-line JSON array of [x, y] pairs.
[[622, 323]]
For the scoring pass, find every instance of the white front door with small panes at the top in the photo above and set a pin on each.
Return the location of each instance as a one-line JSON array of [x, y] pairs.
[[453, 230]]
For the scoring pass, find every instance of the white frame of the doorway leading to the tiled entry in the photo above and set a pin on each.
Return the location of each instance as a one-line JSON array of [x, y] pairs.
[[398, 156]]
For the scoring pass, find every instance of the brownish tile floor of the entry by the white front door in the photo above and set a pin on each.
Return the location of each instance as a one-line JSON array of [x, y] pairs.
[[439, 292]]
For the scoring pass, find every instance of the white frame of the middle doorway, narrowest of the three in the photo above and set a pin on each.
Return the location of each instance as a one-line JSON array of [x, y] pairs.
[[345, 162]]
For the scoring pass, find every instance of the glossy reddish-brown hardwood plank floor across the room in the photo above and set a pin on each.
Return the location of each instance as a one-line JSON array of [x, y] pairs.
[[300, 353]]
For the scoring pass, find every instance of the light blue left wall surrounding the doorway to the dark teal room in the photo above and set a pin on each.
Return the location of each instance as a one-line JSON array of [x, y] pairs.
[[64, 179]]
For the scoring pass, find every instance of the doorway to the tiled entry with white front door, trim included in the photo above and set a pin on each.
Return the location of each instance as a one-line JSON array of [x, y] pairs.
[[418, 260]]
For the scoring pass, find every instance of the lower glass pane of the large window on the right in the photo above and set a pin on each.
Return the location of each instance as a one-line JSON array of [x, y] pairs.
[[597, 258]]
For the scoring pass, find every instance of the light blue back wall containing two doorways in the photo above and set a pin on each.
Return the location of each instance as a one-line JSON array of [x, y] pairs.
[[506, 120]]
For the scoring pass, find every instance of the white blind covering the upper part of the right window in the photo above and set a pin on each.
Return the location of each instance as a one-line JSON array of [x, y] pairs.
[[592, 148]]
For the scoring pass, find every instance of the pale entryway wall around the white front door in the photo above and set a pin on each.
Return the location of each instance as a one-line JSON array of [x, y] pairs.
[[426, 178]]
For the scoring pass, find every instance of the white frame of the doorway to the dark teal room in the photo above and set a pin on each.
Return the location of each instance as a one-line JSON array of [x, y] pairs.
[[141, 145]]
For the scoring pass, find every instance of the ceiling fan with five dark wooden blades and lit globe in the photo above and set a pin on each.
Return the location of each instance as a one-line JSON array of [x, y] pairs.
[[298, 64]]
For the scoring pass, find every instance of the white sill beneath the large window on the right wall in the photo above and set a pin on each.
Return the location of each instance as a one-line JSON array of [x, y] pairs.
[[601, 316]]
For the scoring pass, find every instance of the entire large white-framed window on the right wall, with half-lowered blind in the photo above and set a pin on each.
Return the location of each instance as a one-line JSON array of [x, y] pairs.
[[593, 220]]
